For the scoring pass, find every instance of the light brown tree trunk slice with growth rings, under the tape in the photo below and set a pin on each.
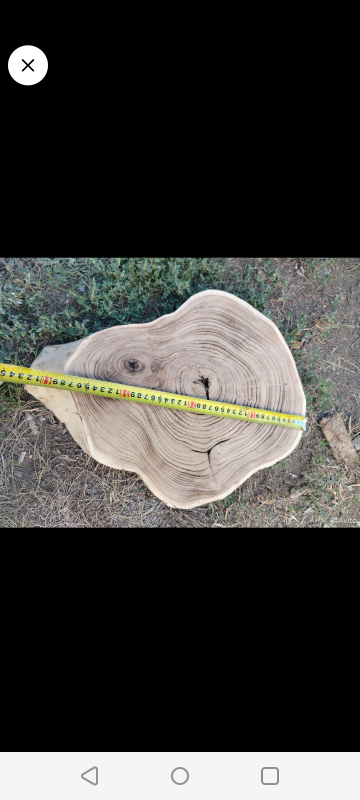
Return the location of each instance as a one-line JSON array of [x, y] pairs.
[[185, 459]]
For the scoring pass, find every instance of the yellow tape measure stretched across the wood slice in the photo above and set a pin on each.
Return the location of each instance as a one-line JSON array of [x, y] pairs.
[[152, 397]]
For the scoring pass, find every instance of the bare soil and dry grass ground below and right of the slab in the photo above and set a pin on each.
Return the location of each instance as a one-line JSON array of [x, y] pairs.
[[47, 481]]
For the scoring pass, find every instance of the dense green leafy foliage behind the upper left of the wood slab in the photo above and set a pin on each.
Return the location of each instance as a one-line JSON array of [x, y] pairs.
[[53, 301]]
